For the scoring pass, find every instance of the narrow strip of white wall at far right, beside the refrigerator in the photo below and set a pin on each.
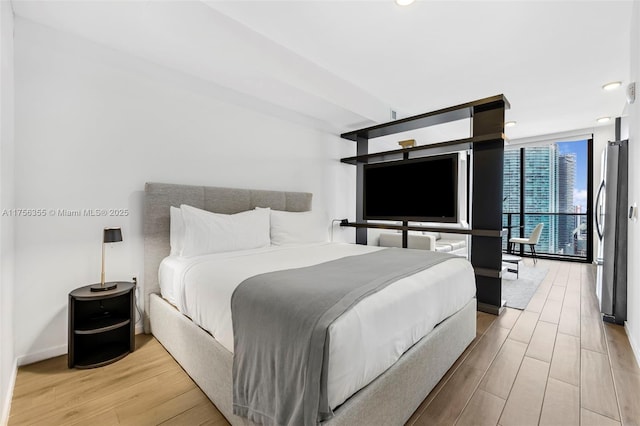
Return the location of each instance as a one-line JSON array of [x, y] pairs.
[[633, 295]]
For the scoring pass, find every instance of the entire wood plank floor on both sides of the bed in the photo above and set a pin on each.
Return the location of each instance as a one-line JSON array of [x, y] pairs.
[[554, 363]]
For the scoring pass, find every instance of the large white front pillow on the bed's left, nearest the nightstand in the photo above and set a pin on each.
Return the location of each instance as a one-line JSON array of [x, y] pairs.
[[207, 232]]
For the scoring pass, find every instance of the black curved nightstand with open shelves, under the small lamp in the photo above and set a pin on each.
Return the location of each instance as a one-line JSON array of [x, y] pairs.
[[101, 325]]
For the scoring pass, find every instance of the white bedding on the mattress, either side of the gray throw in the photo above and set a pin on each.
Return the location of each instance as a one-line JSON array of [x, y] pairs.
[[365, 341]]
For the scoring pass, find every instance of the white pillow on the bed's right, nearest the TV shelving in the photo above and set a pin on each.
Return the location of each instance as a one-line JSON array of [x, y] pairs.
[[297, 228]]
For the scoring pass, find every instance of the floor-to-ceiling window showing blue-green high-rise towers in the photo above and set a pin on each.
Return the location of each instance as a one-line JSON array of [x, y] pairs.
[[550, 184]]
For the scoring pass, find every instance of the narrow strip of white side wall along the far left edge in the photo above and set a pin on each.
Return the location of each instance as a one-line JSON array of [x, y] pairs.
[[7, 358]]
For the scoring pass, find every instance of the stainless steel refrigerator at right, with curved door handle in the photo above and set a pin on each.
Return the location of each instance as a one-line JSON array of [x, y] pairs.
[[611, 225]]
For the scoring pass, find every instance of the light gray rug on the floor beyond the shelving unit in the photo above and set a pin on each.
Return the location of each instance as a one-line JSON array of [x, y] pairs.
[[518, 291]]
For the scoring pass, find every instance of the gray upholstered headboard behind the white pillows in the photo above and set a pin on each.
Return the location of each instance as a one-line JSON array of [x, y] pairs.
[[160, 196]]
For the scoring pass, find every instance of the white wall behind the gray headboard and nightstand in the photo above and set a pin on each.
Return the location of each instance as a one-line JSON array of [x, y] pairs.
[[92, 126]]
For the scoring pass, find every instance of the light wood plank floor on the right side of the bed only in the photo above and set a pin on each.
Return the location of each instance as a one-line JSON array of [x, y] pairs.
[[555, 363]]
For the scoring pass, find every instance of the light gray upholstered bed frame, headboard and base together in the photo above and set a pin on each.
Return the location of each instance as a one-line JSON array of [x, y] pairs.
[[390, 398]]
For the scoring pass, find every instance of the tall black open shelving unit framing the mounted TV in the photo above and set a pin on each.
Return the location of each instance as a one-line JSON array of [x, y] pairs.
[[487, 145]]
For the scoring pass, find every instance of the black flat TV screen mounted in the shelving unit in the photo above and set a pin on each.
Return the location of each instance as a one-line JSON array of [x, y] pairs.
[[418, 190]]
